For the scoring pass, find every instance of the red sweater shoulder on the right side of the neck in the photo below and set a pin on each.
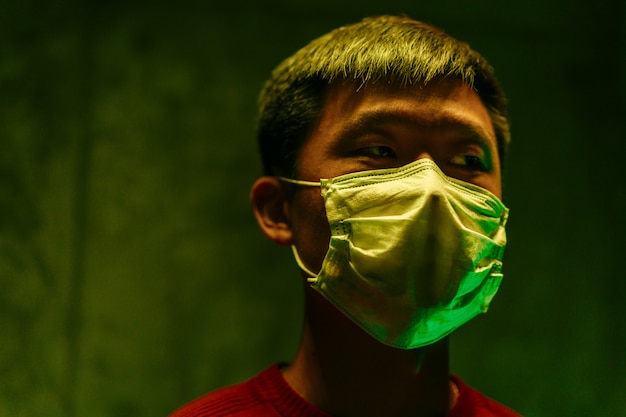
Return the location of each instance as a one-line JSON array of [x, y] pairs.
[[473, 403]]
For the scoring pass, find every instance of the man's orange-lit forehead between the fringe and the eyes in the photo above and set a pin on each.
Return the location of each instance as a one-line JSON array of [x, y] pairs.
[[451, 106]]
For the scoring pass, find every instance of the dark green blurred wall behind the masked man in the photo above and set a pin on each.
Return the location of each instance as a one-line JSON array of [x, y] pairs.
[[132, 275]]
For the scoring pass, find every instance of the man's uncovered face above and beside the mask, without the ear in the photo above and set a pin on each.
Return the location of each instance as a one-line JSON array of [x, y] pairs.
[[390, 127]]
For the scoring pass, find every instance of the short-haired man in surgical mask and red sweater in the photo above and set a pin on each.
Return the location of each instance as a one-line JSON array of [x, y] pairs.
[[382, 145]]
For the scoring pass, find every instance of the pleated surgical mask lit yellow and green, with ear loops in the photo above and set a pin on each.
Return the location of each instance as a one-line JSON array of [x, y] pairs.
[[413, 254]]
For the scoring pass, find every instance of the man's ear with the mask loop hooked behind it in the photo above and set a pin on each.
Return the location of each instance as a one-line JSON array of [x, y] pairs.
[[270, 209]]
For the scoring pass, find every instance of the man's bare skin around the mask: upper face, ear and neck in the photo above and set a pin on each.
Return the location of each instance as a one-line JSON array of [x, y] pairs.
[[339, 368]]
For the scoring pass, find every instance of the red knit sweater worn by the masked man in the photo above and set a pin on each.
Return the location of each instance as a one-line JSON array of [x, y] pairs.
[[269, 395]]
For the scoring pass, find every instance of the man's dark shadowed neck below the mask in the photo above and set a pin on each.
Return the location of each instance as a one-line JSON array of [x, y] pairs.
[[346, 372]]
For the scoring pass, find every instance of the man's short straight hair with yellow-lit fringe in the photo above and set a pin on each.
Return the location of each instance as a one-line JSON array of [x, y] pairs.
[[395, 49]]
